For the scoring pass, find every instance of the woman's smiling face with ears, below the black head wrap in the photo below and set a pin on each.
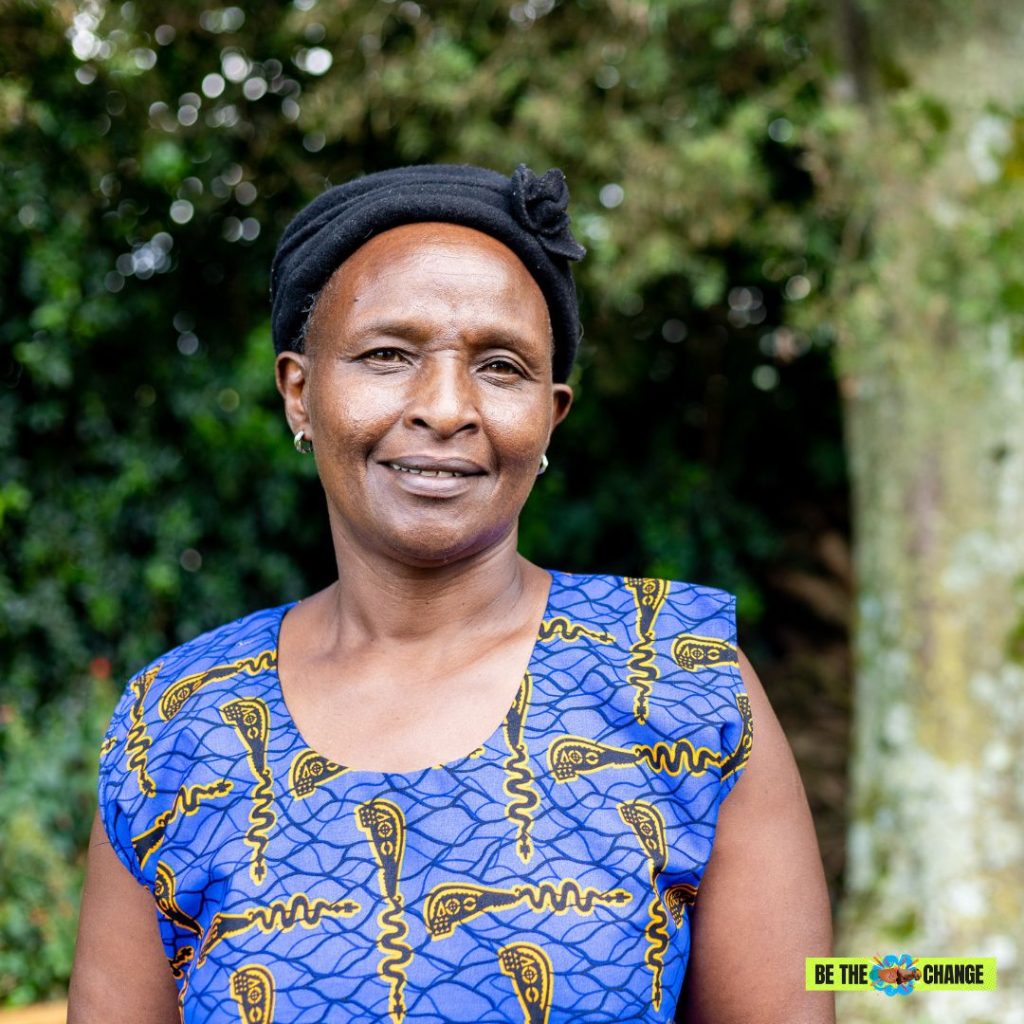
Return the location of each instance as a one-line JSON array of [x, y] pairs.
[[426, 392]]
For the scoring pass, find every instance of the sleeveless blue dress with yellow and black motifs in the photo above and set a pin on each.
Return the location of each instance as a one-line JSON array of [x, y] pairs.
[[543, 878]]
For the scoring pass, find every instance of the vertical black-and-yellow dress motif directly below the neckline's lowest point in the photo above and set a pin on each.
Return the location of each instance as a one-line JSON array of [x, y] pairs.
[[385, 826]]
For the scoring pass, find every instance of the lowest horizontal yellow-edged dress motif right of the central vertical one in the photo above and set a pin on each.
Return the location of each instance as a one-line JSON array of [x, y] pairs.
[[454, 904]]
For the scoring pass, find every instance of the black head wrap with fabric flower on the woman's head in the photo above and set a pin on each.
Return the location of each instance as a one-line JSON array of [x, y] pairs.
[[526, 212]]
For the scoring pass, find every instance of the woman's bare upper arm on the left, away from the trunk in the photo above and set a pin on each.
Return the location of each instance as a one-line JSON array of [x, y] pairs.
[[120, 975]]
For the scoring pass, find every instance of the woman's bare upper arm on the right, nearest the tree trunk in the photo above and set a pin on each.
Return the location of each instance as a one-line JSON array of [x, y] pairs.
[[762, 906]]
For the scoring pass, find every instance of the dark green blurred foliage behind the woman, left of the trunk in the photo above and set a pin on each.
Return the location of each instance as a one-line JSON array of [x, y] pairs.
[[150, 157]]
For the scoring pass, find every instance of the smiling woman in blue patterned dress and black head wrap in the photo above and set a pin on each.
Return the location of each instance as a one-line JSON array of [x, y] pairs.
[[452, 786]]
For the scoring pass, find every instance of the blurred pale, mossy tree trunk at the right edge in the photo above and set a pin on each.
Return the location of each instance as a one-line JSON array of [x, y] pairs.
[[931, 361]]
